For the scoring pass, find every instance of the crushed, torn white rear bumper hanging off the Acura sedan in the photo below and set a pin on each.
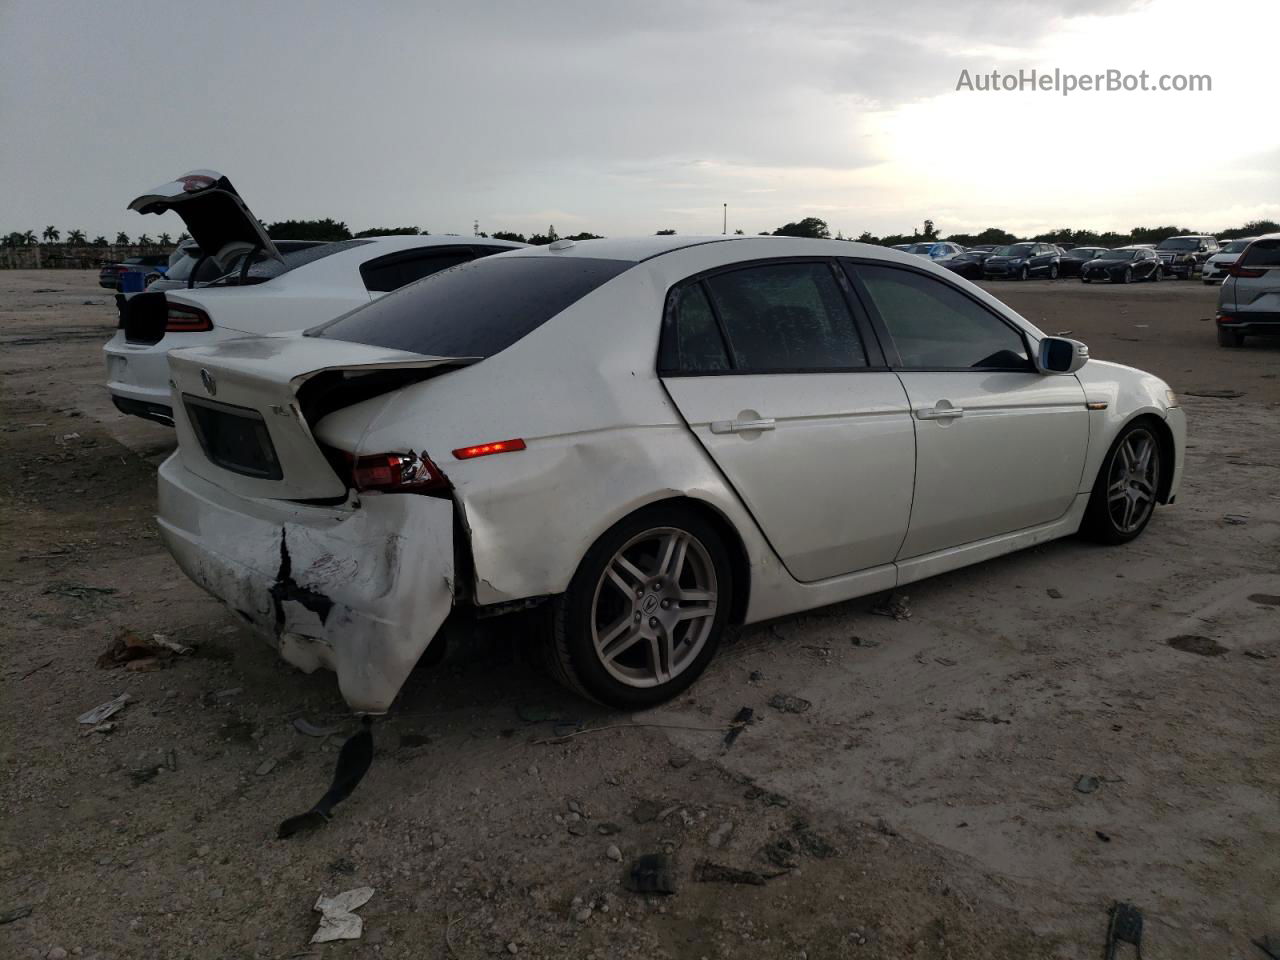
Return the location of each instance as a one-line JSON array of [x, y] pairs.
[[360, 592]]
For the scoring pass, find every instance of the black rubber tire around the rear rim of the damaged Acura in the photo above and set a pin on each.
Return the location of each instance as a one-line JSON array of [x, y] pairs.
[[569, 642]]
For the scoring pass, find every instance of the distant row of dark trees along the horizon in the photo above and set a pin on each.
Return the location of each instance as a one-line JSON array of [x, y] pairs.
[[330, 230]]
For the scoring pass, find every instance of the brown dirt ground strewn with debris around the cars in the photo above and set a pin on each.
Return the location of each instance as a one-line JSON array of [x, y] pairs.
[[929, 804]]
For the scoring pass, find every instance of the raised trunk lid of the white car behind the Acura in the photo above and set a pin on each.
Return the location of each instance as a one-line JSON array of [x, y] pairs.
[[217, 218]]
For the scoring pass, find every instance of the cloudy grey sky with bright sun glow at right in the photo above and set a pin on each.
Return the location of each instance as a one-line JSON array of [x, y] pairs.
[[627, 118]]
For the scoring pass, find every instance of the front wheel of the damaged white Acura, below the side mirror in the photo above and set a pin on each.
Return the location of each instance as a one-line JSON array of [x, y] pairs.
[[1124, 495]]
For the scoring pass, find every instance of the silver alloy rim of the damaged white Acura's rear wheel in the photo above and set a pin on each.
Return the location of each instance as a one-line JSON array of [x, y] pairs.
[[655, 607]]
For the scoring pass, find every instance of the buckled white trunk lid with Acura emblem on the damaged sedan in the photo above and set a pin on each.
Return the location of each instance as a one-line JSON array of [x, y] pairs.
[[243, 424]]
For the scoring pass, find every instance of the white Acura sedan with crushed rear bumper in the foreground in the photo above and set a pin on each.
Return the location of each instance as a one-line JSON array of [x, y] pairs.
[[648, 440]]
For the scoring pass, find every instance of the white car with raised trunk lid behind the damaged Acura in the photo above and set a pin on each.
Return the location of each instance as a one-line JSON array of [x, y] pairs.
[[264, 289]]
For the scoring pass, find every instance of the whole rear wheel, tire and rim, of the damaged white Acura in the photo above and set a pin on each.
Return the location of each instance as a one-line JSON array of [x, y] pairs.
[[646, 610]]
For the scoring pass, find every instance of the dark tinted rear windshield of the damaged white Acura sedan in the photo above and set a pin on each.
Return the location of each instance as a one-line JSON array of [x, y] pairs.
[[474, 310]]
